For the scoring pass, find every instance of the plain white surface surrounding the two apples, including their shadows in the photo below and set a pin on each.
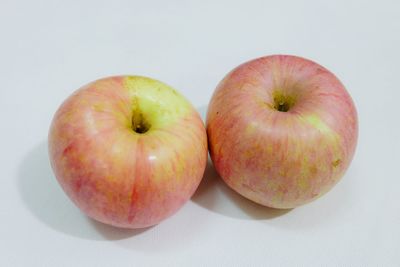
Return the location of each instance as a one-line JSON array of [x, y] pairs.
[[50, 48]]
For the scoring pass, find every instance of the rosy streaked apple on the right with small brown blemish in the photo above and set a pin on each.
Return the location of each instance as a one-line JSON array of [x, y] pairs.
[[275, 158]]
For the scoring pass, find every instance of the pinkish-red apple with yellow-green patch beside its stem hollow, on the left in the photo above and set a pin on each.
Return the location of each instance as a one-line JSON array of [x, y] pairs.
[[115, 174]]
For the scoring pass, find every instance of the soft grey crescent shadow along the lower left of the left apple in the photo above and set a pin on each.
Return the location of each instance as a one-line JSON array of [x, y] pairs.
[[45, 199]]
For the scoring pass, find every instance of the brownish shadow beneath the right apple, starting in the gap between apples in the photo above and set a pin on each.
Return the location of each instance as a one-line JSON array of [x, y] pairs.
[[213, 194]]
